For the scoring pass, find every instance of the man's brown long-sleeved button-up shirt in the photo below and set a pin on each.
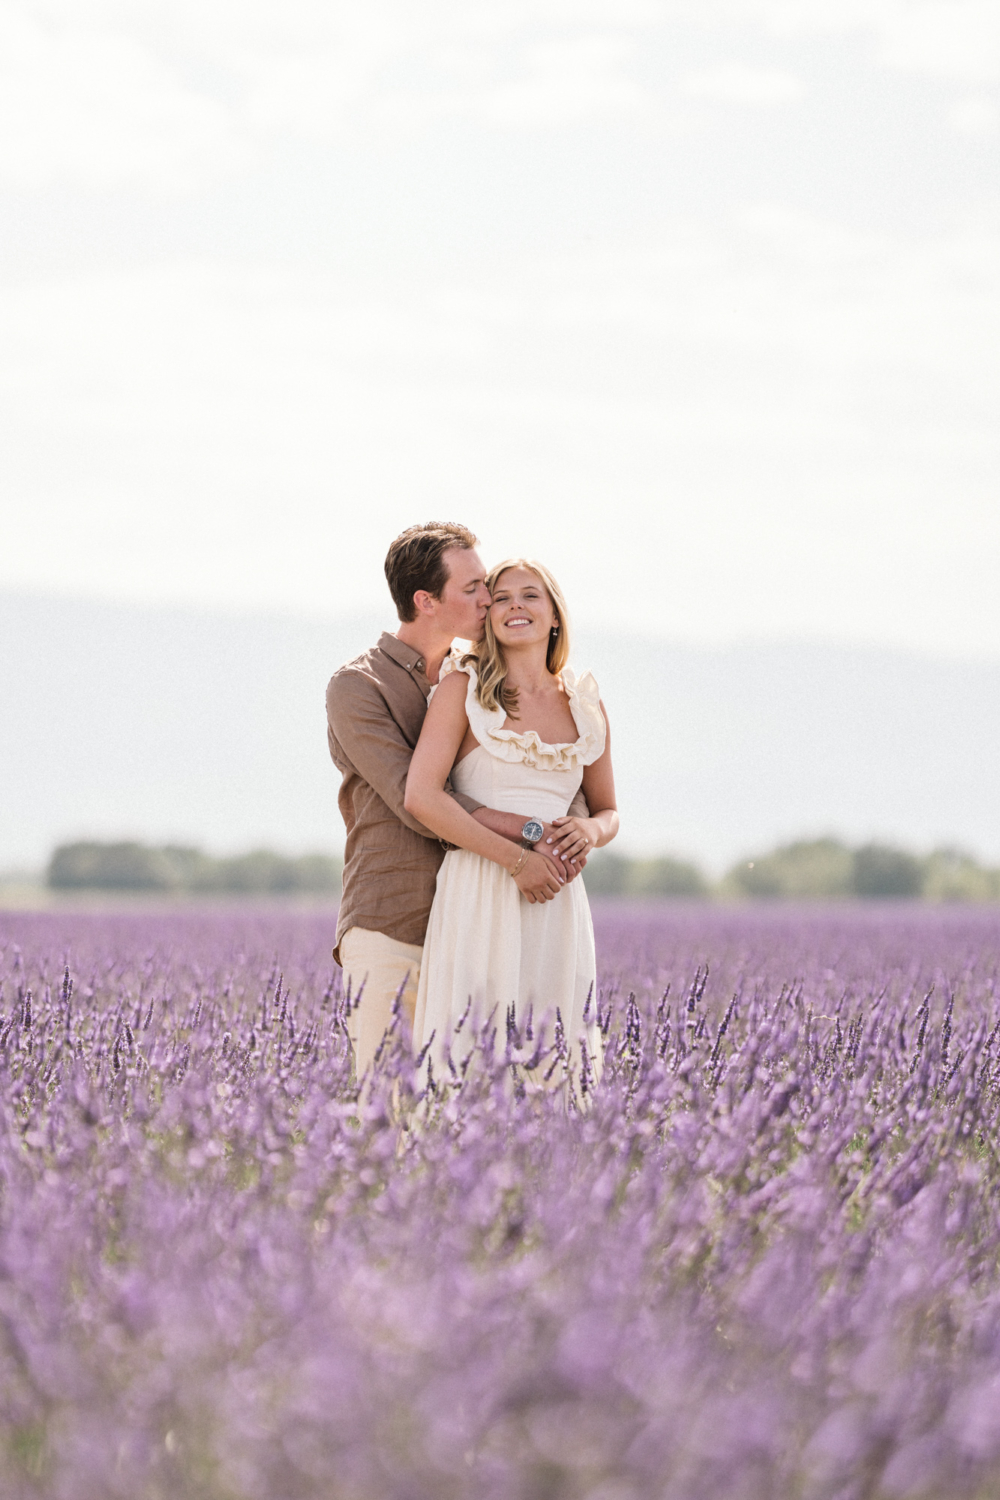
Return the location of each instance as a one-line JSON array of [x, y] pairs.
[[376, 710]]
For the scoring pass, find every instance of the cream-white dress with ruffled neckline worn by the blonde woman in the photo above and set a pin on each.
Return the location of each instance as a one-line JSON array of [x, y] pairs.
[[488, 947]]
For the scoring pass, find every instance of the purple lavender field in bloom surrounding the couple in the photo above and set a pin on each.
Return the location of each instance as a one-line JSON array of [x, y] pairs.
[[764, 1264]]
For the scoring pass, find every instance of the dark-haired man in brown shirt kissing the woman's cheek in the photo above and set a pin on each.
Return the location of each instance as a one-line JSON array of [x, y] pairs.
[[376, 709]]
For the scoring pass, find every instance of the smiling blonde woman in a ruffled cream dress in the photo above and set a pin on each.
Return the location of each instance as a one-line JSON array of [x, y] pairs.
[[512, 727]]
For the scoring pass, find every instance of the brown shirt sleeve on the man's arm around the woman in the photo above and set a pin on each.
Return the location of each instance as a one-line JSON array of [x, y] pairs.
[[362, 724]]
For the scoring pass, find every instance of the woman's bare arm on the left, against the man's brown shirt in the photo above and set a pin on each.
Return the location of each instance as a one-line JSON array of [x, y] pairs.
[[427, 799]]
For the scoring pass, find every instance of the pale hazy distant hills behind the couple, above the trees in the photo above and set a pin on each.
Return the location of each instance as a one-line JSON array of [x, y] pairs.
[[184, 727]]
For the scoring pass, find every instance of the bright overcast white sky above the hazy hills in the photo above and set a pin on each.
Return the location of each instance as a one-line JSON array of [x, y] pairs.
[[699, 302]]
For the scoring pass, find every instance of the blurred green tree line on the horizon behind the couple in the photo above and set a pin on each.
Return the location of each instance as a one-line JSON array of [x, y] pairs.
[[809, 869]]
